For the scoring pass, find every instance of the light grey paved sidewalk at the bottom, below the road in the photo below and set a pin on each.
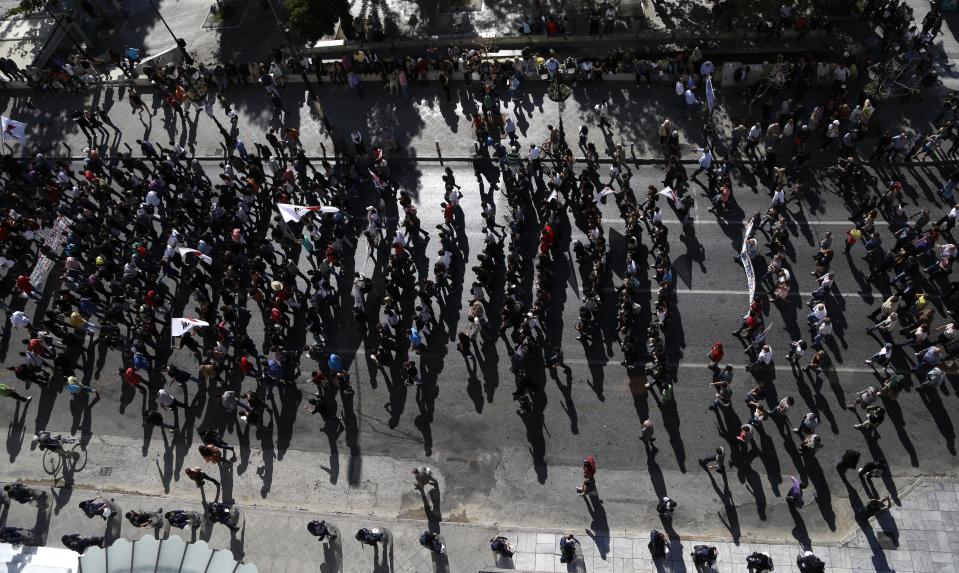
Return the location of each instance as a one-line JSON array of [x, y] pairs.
[[922, 536]]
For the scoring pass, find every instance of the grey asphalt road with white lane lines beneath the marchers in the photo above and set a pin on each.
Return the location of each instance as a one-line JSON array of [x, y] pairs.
[[500, 469]]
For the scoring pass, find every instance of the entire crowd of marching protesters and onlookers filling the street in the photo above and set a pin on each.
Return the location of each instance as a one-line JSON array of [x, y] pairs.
[[151, 234]]
